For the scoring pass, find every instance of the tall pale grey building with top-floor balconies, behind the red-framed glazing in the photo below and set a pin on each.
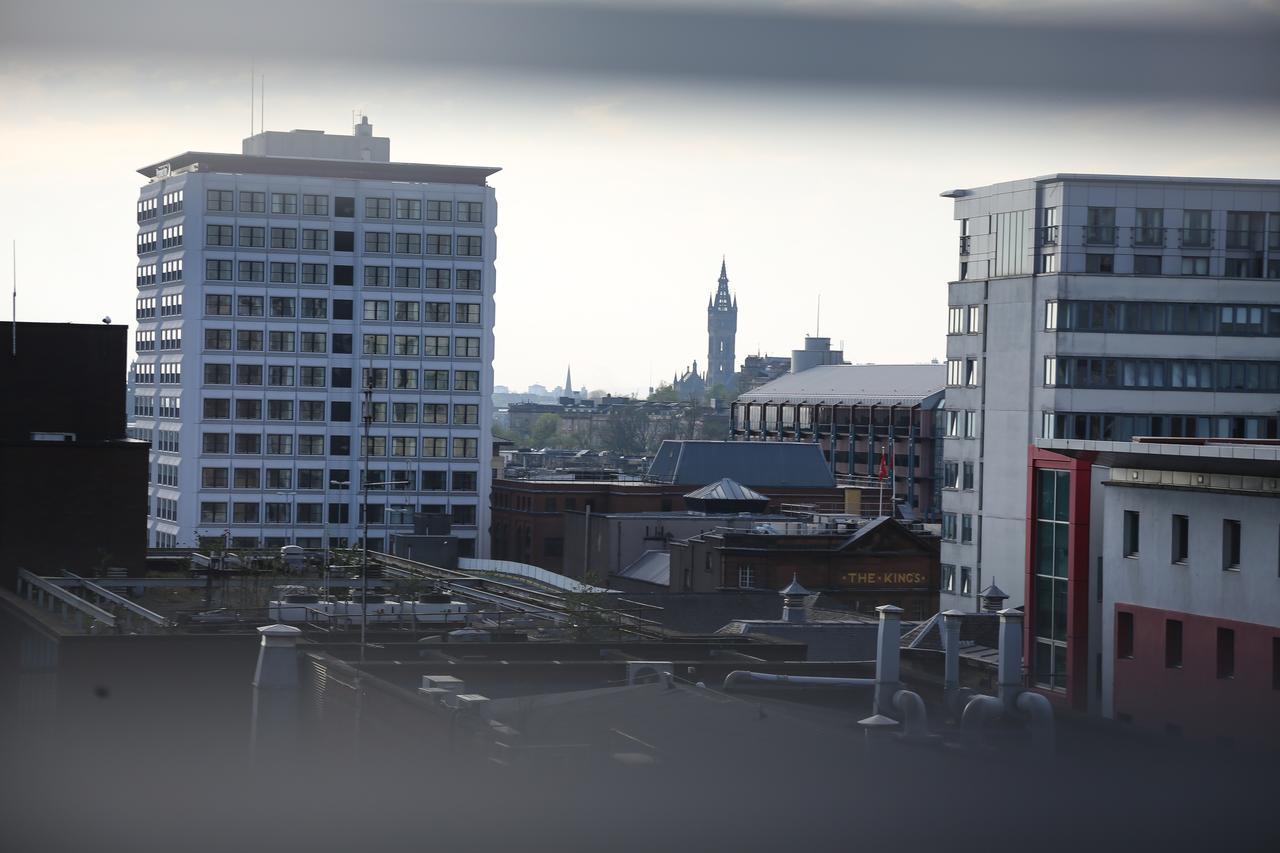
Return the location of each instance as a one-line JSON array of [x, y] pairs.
[[1098, 308]]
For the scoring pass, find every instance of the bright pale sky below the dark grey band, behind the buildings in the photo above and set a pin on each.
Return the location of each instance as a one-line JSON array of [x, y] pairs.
[[618, 195]]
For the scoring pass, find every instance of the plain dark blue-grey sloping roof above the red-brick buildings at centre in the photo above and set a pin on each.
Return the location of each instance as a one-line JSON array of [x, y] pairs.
[[758, 464]]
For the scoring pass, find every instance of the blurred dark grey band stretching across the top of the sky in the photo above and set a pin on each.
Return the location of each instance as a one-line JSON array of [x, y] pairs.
[[959, 54]]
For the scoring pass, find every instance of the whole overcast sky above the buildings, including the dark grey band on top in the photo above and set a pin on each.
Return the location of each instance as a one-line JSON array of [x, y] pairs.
[[638, 147]]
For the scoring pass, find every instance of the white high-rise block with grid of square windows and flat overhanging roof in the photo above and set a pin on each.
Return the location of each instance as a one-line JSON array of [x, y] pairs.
[[277, 288]]
